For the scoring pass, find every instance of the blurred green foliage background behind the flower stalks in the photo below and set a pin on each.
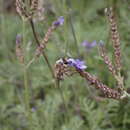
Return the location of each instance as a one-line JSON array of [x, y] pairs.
[[85, 109]]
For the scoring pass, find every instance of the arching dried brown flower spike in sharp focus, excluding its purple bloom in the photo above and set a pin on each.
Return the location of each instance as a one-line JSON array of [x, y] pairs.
[[108, 92]]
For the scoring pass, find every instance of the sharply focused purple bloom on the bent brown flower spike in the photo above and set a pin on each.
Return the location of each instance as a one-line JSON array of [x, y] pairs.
[[76, 63]]
